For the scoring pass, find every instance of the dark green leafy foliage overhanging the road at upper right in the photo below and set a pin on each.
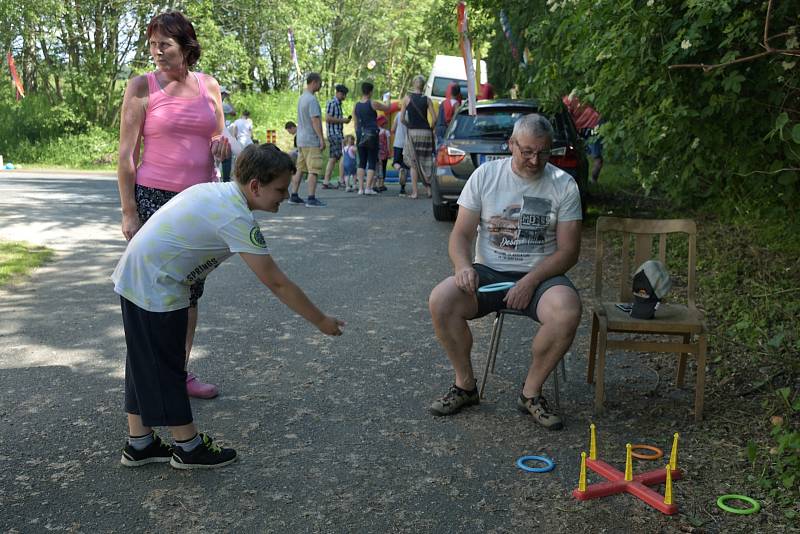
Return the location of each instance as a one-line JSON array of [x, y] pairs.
[[726, 132]]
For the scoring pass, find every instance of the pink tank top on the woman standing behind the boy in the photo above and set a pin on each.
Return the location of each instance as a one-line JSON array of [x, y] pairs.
[[176, 136]]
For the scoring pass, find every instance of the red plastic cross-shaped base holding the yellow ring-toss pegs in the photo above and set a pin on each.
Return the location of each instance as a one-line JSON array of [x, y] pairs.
[[637, 487]]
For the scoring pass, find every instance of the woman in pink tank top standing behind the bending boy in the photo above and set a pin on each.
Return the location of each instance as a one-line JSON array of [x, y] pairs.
[[173, 118]]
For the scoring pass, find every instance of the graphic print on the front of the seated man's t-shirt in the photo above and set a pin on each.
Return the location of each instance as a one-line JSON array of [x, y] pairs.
[[521, 229]]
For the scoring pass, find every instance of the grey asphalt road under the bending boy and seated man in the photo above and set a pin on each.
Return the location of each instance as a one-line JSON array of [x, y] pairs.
[[333, 433]]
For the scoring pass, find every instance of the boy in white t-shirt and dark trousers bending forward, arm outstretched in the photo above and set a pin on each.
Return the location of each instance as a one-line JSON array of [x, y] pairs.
[[185, 240]]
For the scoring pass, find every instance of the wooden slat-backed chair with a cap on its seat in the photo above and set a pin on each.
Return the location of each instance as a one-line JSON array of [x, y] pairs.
[[671, 319]]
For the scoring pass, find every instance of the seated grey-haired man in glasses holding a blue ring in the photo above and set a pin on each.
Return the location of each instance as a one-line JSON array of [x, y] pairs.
[[527, 217]]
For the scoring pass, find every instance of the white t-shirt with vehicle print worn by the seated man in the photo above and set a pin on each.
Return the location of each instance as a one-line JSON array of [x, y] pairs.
[[518, 215]]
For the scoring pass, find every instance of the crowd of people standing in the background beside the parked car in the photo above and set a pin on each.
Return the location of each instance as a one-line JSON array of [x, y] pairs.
[[410, 141]]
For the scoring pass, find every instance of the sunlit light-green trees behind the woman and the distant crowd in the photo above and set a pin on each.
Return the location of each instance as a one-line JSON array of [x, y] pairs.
[[79, 54]]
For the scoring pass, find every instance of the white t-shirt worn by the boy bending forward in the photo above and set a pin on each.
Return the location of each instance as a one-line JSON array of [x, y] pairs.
[[182, 242]]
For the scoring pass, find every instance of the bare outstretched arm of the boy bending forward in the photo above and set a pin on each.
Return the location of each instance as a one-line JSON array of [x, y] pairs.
[[287, 291]]
